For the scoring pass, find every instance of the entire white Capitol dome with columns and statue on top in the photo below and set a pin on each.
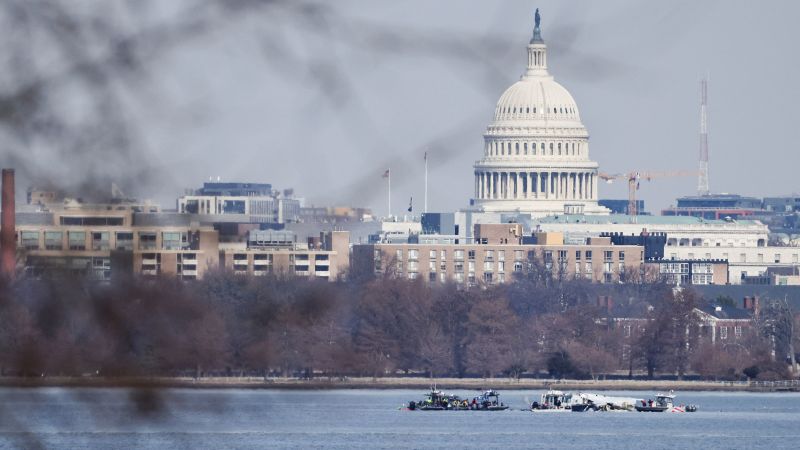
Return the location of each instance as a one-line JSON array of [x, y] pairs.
[[536, 150]]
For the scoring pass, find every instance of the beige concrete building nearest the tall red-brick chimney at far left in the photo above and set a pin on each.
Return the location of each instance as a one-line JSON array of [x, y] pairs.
[[89, 241]]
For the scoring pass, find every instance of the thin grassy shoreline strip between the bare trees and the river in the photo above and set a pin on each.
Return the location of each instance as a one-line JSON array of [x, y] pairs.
[[400, 383]]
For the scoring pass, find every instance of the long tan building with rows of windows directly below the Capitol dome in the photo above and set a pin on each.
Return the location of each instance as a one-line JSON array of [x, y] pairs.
[[496, 262]]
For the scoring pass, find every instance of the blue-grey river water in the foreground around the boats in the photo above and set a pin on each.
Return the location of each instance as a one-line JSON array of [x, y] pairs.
[[213, 419]]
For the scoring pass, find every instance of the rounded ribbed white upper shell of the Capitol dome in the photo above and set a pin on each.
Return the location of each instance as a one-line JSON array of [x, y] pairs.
[[536, 98]]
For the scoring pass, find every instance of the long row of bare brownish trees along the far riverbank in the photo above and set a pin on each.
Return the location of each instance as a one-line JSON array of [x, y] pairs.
[[284, 326]]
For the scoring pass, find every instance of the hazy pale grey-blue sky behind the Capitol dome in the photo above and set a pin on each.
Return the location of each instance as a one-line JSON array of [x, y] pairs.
[[326, 105]]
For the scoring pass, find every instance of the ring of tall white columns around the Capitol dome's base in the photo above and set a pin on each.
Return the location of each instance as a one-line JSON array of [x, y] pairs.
[[521, 185]]
